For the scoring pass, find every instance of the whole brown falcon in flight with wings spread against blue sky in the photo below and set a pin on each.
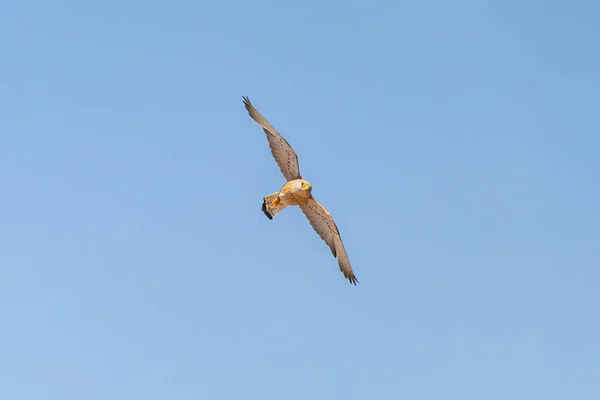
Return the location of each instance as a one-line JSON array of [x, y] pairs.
[[298, 192]]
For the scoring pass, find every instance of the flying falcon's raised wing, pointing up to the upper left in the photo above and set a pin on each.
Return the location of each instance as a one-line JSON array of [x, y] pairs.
[[283, 153]]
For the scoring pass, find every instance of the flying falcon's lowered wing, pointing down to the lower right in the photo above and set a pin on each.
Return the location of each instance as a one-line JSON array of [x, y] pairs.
[[322, 222]]
